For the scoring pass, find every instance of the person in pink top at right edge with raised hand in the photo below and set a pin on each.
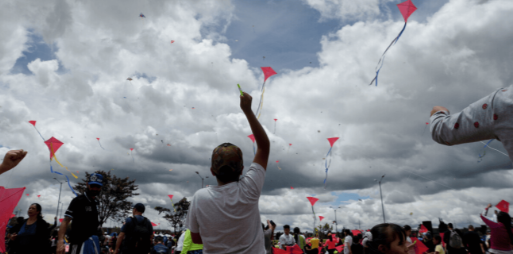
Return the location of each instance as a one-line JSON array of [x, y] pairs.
[[501, 237]]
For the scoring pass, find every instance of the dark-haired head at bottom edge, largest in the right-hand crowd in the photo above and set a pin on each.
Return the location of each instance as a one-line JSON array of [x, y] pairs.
[[387, 239]]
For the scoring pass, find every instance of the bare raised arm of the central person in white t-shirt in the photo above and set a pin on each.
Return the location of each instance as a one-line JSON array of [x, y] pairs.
[[263, 144]]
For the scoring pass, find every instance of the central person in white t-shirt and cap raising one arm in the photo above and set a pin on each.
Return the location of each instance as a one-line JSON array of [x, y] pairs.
[[225, 218]]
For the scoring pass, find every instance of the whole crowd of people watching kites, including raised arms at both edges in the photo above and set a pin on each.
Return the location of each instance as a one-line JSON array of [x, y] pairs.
[[226, 218]]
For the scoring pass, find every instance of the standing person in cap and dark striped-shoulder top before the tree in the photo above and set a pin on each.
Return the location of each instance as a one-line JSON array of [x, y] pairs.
[[83, 211]]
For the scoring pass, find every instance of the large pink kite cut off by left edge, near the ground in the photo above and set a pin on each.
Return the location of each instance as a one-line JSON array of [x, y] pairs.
[[9, 198]]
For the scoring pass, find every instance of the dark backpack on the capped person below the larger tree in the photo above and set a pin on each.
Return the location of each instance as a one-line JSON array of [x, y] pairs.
[[138, 237]]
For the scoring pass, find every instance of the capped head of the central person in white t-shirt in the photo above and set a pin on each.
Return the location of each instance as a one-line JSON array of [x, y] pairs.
[[227, 163]]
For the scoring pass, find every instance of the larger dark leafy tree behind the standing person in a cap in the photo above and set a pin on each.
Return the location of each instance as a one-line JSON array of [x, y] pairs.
[[113, 201]]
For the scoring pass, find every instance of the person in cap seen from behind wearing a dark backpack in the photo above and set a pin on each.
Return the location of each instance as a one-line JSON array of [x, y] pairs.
[[136, 233]]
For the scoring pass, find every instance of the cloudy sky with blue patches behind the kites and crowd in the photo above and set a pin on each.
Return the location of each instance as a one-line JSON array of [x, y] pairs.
[[65, 64]]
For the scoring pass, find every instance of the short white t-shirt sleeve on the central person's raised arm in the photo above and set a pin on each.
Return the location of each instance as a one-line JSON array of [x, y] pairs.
[[253, 182]]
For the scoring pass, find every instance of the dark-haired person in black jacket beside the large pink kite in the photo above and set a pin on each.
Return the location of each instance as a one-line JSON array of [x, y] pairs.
[[34, 234]]
